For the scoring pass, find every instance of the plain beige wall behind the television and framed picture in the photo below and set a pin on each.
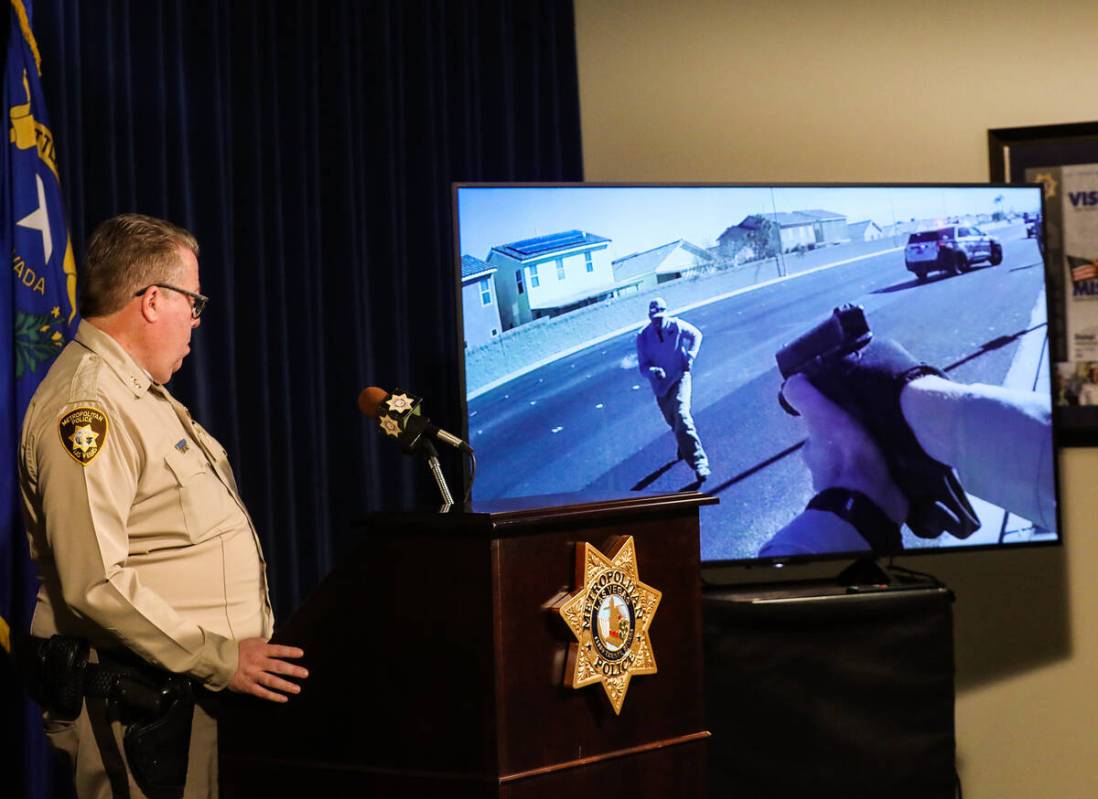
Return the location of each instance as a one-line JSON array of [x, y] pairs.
[[759, 91]]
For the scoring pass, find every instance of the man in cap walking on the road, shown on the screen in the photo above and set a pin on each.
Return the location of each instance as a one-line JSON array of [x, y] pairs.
[[666, 352]]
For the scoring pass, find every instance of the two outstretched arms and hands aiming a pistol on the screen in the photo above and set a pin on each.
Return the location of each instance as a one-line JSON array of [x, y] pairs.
[[884, 426]]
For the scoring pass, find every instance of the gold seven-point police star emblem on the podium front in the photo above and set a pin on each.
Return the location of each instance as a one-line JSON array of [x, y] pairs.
[[610, 615]]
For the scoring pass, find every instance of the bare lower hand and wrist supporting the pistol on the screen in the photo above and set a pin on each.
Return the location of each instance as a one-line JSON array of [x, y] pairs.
[[839, 452]]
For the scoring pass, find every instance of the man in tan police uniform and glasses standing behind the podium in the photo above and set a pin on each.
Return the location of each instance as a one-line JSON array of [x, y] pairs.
[[143, 545]]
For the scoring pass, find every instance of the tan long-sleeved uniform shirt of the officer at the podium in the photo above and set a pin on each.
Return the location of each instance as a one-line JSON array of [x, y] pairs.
[[148, 543]]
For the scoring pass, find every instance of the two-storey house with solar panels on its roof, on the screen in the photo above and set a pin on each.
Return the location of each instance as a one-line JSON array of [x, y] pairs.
[[548, 276]]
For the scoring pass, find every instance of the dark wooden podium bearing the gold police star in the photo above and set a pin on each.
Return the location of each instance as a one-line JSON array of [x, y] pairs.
[[436, 666]]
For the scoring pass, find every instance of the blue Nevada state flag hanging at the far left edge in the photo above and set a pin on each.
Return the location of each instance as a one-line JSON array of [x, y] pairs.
[[38, 317]]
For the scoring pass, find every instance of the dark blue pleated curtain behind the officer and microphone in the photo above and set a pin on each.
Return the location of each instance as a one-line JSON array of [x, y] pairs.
[[311, 149]]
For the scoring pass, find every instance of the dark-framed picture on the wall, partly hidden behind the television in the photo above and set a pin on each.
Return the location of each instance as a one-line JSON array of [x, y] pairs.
[[1065, 159]]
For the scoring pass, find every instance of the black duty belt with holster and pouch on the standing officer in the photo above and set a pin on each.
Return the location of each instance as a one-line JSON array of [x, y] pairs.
[[155, 706]]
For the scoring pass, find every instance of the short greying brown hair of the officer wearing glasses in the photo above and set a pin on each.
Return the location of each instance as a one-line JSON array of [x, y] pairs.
[[127, 254]]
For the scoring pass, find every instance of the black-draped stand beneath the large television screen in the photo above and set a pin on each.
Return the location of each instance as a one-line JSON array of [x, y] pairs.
[[835, 688]]
